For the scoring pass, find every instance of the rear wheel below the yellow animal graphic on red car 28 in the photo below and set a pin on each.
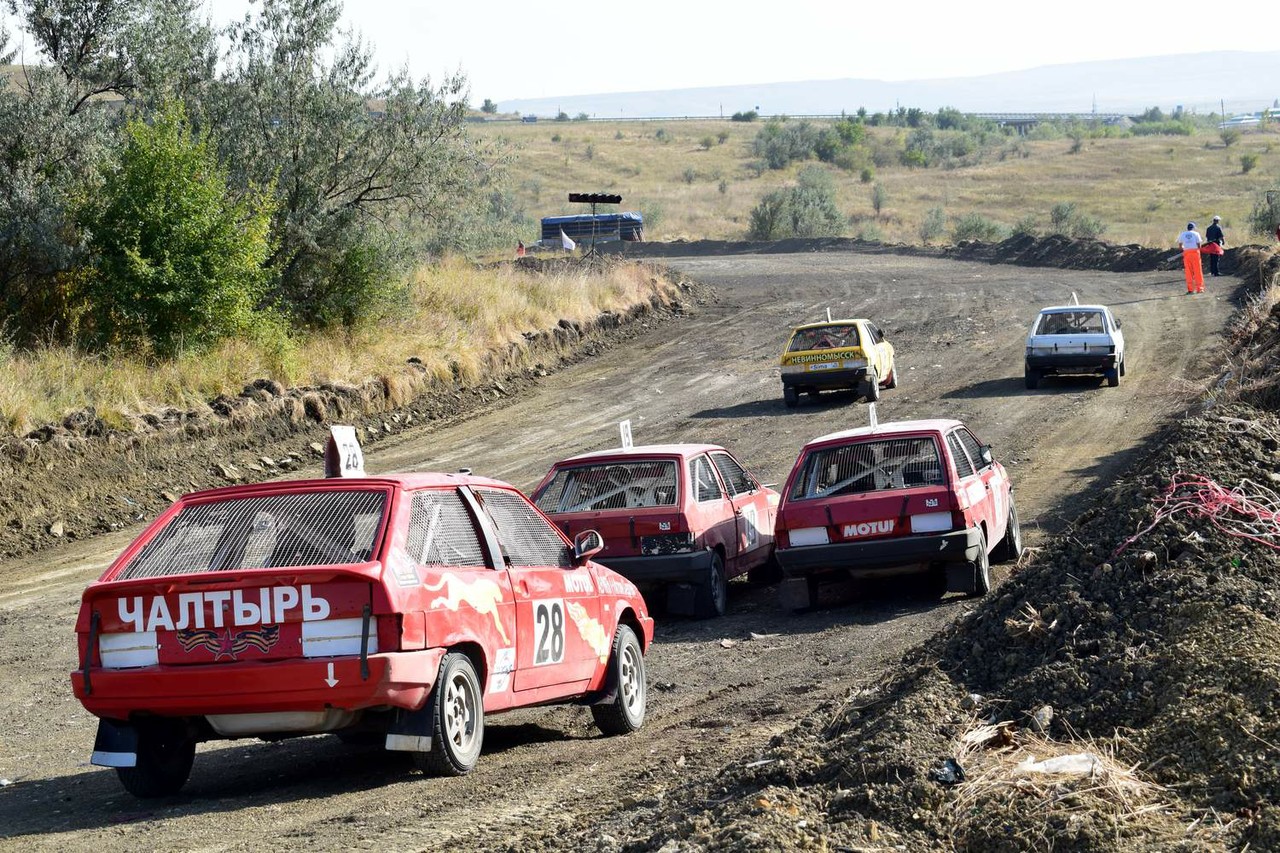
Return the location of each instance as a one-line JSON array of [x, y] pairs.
[[458, 720]]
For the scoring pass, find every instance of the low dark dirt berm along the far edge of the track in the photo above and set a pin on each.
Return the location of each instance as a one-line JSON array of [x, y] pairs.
[[1054, 250]]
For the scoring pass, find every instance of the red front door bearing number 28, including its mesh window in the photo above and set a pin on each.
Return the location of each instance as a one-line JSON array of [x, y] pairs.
[[560, 640]]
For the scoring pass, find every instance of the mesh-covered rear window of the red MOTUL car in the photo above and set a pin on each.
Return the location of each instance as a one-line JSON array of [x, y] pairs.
[[870, 467]]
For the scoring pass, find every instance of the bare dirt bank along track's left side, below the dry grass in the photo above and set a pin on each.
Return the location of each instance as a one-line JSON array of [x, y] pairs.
[[80, 478]]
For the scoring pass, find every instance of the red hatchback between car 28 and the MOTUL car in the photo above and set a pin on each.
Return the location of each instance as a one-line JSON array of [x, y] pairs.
[[683, 519]]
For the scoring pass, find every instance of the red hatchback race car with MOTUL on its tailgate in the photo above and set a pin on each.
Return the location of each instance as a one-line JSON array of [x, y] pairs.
[[918, 498]]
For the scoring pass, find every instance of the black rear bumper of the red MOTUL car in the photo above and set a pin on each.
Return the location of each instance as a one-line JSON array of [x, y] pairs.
[[879, 556]]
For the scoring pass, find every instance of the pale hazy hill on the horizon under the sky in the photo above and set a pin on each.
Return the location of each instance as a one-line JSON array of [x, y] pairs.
[[1199, 83]]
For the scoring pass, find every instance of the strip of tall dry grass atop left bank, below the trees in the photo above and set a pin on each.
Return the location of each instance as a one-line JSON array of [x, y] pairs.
[[456, 314]]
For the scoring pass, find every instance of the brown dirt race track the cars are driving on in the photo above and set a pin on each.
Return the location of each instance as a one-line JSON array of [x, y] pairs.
[[959, 331]]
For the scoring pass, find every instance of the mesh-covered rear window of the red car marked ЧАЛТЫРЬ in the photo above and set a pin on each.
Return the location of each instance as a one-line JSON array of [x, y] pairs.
[[281, 531]]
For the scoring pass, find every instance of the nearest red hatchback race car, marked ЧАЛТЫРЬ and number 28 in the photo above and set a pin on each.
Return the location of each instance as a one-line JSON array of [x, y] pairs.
[[403, 608]]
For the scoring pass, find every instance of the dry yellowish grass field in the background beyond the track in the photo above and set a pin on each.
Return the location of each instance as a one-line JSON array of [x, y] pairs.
[[1142, 189]]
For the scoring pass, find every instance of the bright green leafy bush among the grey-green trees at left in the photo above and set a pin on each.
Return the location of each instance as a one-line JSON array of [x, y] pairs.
[[179, 258]]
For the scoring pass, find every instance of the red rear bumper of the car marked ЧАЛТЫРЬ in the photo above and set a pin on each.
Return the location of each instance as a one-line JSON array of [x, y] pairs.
[[396, 679]]
